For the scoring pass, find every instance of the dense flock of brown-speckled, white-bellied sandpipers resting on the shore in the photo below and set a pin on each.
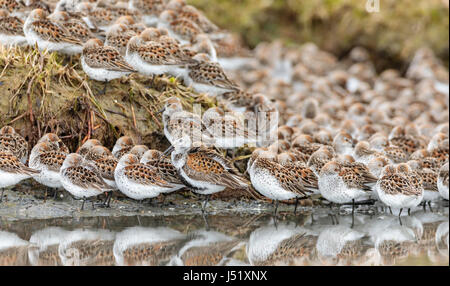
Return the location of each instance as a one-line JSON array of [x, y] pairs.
[[317, 127]]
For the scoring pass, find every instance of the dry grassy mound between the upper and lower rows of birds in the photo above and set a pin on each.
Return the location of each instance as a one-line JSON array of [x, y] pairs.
[[42, 92]]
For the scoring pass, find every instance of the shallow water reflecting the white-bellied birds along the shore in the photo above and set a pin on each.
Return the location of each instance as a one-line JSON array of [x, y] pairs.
[[311, 237]]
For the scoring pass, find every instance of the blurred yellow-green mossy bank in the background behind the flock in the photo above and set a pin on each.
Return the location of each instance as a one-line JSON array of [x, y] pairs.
[[392, 35]]
